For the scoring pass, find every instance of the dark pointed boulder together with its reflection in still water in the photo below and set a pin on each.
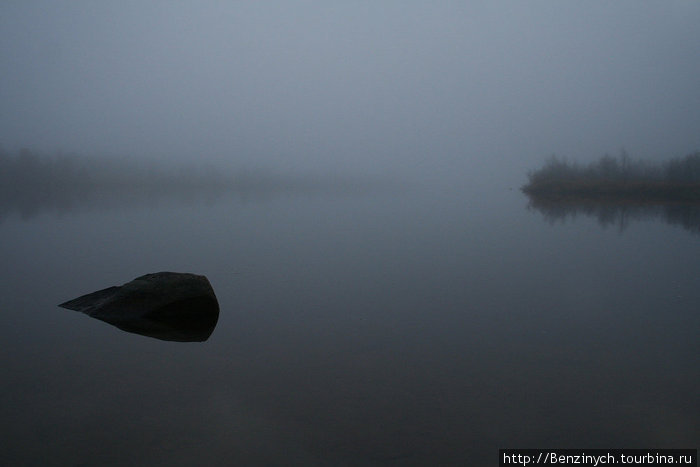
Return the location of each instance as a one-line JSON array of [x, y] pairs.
[[166, 305]]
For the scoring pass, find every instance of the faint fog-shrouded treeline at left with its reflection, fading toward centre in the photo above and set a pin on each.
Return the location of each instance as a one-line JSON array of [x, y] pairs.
[[31, 182]]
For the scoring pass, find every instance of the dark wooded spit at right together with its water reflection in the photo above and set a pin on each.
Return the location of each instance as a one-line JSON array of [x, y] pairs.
[[617, 191]]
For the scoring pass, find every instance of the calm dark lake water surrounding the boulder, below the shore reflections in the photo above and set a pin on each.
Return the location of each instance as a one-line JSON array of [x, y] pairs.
[[428, 327]]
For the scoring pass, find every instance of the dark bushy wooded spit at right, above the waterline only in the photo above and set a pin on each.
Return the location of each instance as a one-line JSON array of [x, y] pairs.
[[622, 176]]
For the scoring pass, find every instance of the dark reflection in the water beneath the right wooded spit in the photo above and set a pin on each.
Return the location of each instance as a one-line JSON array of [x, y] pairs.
[[617, 213]]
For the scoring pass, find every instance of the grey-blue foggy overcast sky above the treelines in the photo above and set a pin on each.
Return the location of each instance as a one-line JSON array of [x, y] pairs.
[[457, 86]]
